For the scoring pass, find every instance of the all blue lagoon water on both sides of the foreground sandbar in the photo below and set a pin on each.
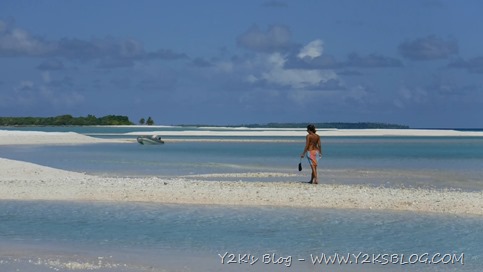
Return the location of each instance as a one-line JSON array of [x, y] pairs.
[[73, 236]]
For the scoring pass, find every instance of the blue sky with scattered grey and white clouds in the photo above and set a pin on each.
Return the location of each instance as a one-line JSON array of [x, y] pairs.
[[231, 62]]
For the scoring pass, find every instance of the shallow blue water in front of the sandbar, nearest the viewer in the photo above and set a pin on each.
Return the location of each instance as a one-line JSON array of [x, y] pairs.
[[162, 235]]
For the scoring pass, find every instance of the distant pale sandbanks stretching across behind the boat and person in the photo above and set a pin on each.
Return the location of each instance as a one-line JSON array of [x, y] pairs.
[[14, 137]]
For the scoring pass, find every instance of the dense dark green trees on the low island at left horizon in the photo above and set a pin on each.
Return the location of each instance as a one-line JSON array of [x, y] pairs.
[[66, 120]]
